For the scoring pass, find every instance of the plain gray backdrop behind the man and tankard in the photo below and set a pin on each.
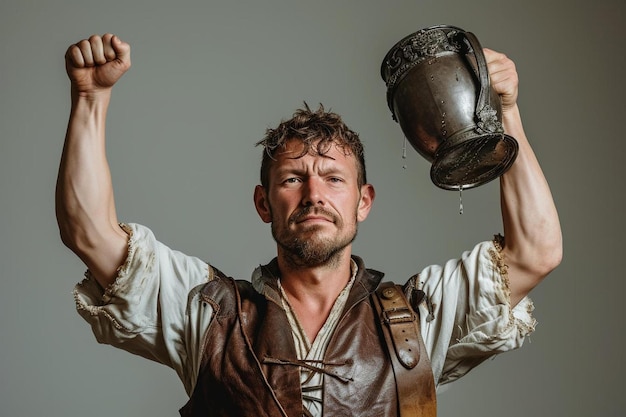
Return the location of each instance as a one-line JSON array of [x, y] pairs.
[[208, 77]]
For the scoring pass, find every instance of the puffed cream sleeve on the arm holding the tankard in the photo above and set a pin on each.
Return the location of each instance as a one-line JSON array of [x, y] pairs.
[[466, 316]]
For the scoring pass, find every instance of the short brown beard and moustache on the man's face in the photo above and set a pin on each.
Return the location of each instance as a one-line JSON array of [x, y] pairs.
[[309, 249]]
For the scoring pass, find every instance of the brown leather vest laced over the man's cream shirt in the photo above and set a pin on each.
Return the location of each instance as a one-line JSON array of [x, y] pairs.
[[250, 368]]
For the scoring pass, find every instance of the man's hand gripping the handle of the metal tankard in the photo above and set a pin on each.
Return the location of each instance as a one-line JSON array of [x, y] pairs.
[[503, 77]]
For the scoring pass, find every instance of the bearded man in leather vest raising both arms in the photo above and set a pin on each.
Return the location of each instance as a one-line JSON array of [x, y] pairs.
[[303, 338]]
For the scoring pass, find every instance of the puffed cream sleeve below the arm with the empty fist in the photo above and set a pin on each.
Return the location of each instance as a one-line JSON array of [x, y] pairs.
[[146, 310]]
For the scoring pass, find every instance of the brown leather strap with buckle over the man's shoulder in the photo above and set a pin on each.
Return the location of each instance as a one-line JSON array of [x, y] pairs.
[[415, 383]]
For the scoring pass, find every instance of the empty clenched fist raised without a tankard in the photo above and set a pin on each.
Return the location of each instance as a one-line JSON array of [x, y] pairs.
[[95, 64]]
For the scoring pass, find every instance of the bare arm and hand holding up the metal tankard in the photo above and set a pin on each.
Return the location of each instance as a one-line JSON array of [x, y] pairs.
[[532, 232]]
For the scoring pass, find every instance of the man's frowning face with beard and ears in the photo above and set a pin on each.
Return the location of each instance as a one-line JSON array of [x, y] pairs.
[[314, 204]]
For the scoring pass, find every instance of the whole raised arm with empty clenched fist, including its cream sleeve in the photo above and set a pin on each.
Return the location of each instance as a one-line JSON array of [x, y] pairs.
[[154, 308]]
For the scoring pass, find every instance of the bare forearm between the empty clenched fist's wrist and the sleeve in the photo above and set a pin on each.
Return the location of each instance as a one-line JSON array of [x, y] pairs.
[[84, 196]]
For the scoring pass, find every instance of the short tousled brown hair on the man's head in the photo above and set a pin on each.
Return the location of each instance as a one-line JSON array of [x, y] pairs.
[[320, 129]]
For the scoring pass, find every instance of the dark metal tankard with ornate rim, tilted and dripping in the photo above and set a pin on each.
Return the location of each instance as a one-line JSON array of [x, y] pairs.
[[438, 91]]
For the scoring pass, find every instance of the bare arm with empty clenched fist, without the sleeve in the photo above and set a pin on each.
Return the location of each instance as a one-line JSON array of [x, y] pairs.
[[85, 205]]
